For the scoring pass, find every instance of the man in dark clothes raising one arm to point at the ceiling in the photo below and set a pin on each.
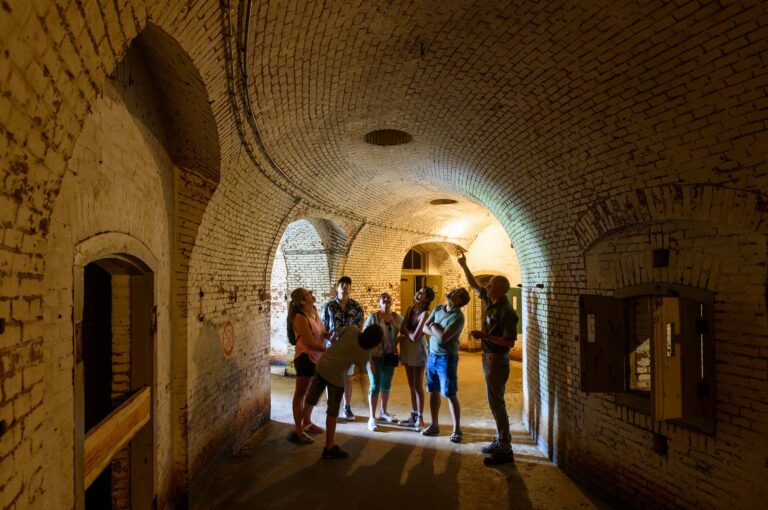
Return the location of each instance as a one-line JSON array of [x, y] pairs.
[[498, 335]]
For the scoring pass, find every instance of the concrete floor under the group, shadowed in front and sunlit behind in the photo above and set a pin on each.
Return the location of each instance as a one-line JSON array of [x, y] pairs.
[[392, 468]]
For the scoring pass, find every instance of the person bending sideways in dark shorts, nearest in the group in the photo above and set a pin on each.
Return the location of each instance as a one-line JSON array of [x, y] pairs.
[[350, 348]]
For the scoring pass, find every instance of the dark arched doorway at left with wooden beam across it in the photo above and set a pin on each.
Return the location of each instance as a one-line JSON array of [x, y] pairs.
[[114, 376]]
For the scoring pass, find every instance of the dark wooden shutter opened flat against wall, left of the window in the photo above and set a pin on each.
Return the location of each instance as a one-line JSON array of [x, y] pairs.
[[603, 342]]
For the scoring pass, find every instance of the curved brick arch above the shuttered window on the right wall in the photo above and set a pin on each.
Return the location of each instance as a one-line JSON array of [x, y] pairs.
[[736, 208]]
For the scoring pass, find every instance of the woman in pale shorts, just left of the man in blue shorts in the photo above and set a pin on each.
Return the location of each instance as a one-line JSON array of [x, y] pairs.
[[413, 352]]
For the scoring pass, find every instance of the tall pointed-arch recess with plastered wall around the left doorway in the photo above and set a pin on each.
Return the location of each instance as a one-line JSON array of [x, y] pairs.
[[131, 176]]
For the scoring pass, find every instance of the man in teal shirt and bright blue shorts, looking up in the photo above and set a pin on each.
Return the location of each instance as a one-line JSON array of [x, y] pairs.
[[444, 328]]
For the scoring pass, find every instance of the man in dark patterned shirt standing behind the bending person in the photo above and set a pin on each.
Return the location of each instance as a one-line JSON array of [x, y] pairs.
[[338, 313]]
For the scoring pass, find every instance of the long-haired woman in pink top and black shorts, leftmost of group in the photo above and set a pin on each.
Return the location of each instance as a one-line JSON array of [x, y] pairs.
[[307, 333]]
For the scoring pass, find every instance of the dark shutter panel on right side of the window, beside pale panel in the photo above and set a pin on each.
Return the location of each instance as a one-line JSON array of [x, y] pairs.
[[698, 363]]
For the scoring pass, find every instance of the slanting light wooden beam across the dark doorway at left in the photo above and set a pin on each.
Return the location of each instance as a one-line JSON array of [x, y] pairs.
[[115, 431]]
